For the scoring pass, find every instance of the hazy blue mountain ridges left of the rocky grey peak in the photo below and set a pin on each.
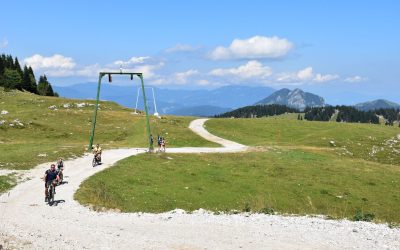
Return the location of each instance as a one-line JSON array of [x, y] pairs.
[[172, 101]]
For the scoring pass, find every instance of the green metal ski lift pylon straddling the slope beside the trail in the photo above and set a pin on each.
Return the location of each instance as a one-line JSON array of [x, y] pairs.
[[96, 107]]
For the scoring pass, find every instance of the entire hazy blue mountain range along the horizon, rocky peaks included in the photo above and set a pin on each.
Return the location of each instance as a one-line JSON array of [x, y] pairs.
[[207, 102]]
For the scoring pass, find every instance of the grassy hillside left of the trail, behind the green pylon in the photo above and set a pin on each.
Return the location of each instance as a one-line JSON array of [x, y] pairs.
[[65, 132]]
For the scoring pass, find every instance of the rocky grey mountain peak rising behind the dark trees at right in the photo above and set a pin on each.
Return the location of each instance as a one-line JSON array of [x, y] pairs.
[[293, 98]]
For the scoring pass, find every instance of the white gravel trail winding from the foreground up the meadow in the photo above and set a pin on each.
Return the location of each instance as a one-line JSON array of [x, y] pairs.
[[26, 221]]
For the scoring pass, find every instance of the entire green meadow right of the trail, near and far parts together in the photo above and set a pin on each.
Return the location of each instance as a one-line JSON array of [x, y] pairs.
[[300, 173]]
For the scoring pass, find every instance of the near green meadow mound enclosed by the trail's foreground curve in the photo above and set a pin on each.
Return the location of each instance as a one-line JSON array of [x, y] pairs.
[[288, 181]]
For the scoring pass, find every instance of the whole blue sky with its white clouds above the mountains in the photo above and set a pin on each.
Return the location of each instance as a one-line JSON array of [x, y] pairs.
[[347, 51]]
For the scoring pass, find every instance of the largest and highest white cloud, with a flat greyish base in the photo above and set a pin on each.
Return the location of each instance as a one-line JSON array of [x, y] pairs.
[[253, 48]]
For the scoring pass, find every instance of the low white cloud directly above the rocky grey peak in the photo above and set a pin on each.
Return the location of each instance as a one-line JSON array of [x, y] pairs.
[[305, 75]]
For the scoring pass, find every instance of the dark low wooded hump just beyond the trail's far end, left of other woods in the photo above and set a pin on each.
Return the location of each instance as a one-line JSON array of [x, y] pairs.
[[258, 111]]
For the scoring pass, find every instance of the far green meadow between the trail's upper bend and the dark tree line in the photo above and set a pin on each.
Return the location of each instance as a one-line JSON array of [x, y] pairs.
[[371, 142]]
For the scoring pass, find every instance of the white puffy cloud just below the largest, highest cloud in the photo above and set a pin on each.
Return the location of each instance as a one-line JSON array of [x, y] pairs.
[[252, 69]]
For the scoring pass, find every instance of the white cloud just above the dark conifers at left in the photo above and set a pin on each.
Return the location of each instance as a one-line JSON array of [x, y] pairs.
[[52, 63]]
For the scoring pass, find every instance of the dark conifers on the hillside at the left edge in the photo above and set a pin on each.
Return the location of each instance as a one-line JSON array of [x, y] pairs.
[[12, 76]]
